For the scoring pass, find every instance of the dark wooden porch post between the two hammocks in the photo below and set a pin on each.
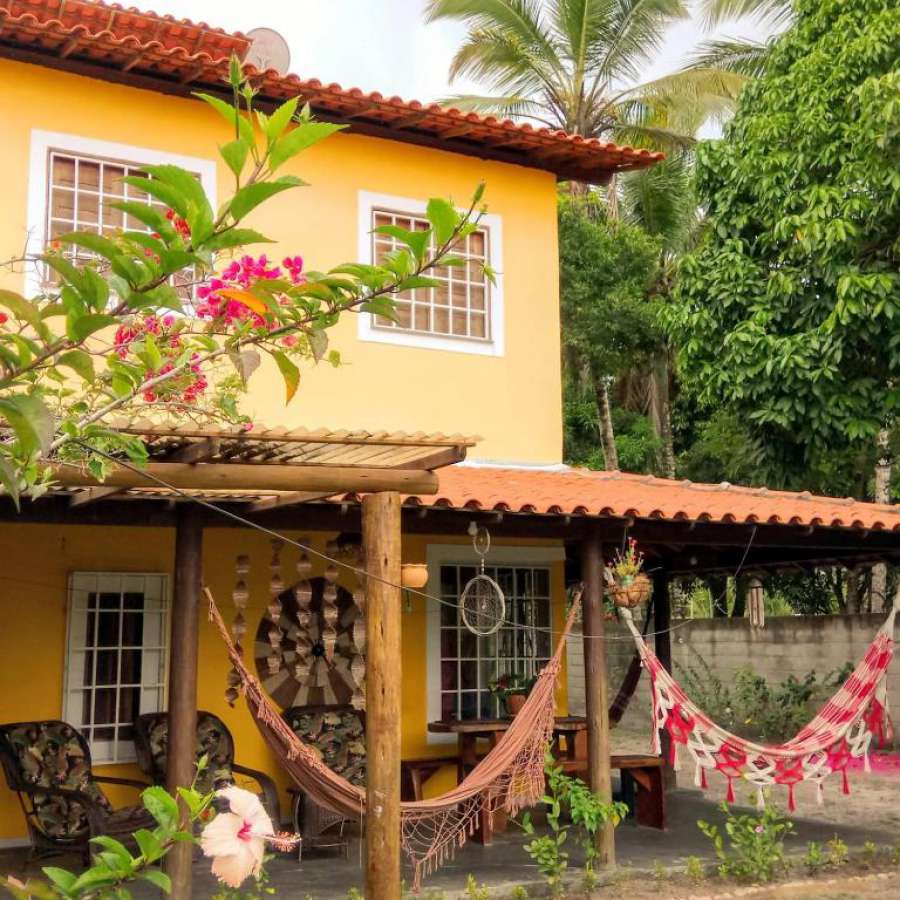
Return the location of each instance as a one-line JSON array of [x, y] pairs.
[[596, 688]]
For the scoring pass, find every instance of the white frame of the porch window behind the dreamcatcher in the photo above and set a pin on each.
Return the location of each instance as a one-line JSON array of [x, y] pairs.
[[438, 555]]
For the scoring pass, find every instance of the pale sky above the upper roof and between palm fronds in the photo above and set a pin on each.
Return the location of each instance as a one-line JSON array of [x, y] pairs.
[[385, 45]]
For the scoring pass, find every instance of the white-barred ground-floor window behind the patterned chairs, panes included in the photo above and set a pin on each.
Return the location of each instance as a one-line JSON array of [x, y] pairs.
[[116, 653]]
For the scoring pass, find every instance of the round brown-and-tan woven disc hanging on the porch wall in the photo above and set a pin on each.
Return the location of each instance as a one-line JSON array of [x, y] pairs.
[[320, 661]]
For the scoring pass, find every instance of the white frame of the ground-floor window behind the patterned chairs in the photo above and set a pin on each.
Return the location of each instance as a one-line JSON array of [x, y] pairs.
[[83, 583]]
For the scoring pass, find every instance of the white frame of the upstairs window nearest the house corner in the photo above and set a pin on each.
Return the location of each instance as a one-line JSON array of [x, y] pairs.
[[368, 202]]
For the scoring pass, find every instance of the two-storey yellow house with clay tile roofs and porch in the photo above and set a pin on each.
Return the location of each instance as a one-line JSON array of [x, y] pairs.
[[456, 407]]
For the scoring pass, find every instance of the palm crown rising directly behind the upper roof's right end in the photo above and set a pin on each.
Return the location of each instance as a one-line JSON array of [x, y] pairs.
[[575, 65]]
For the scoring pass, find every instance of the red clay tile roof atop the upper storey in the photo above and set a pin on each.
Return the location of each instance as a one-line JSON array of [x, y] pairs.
[[125, 44]]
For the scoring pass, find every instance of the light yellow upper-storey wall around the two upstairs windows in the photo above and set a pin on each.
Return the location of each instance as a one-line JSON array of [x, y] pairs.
[[512, 401]]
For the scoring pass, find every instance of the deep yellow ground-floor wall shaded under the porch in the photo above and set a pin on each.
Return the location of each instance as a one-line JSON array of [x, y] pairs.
[[36, 560]]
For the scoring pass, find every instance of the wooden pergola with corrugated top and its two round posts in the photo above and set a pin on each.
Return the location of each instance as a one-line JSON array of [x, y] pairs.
[[254, 470]]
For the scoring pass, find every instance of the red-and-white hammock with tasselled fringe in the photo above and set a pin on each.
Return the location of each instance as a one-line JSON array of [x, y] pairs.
[[843, 730]]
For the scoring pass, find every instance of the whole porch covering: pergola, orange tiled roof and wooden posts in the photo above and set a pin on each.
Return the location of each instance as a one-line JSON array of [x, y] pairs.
[[384, 484]]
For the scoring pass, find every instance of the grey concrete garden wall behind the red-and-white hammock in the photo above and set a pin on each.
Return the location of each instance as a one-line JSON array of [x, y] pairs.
[[788, 645]]
